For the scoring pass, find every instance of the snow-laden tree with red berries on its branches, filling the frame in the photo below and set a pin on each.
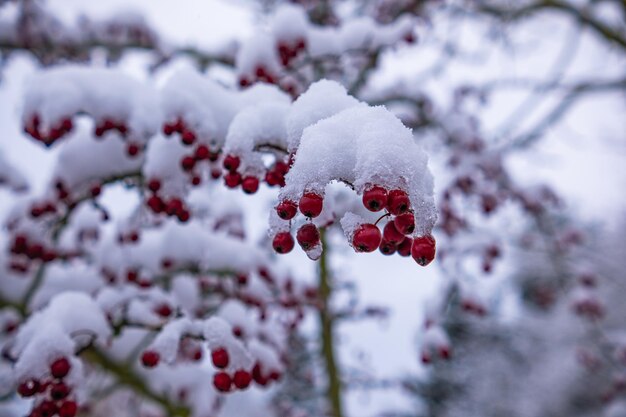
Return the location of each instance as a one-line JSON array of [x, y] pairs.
[[168, 309]]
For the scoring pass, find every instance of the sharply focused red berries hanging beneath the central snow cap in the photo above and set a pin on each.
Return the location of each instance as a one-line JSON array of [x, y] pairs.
[[367, 237]]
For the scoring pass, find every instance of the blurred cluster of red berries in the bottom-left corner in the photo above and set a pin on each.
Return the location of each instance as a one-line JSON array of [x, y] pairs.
[[53, 394]]
